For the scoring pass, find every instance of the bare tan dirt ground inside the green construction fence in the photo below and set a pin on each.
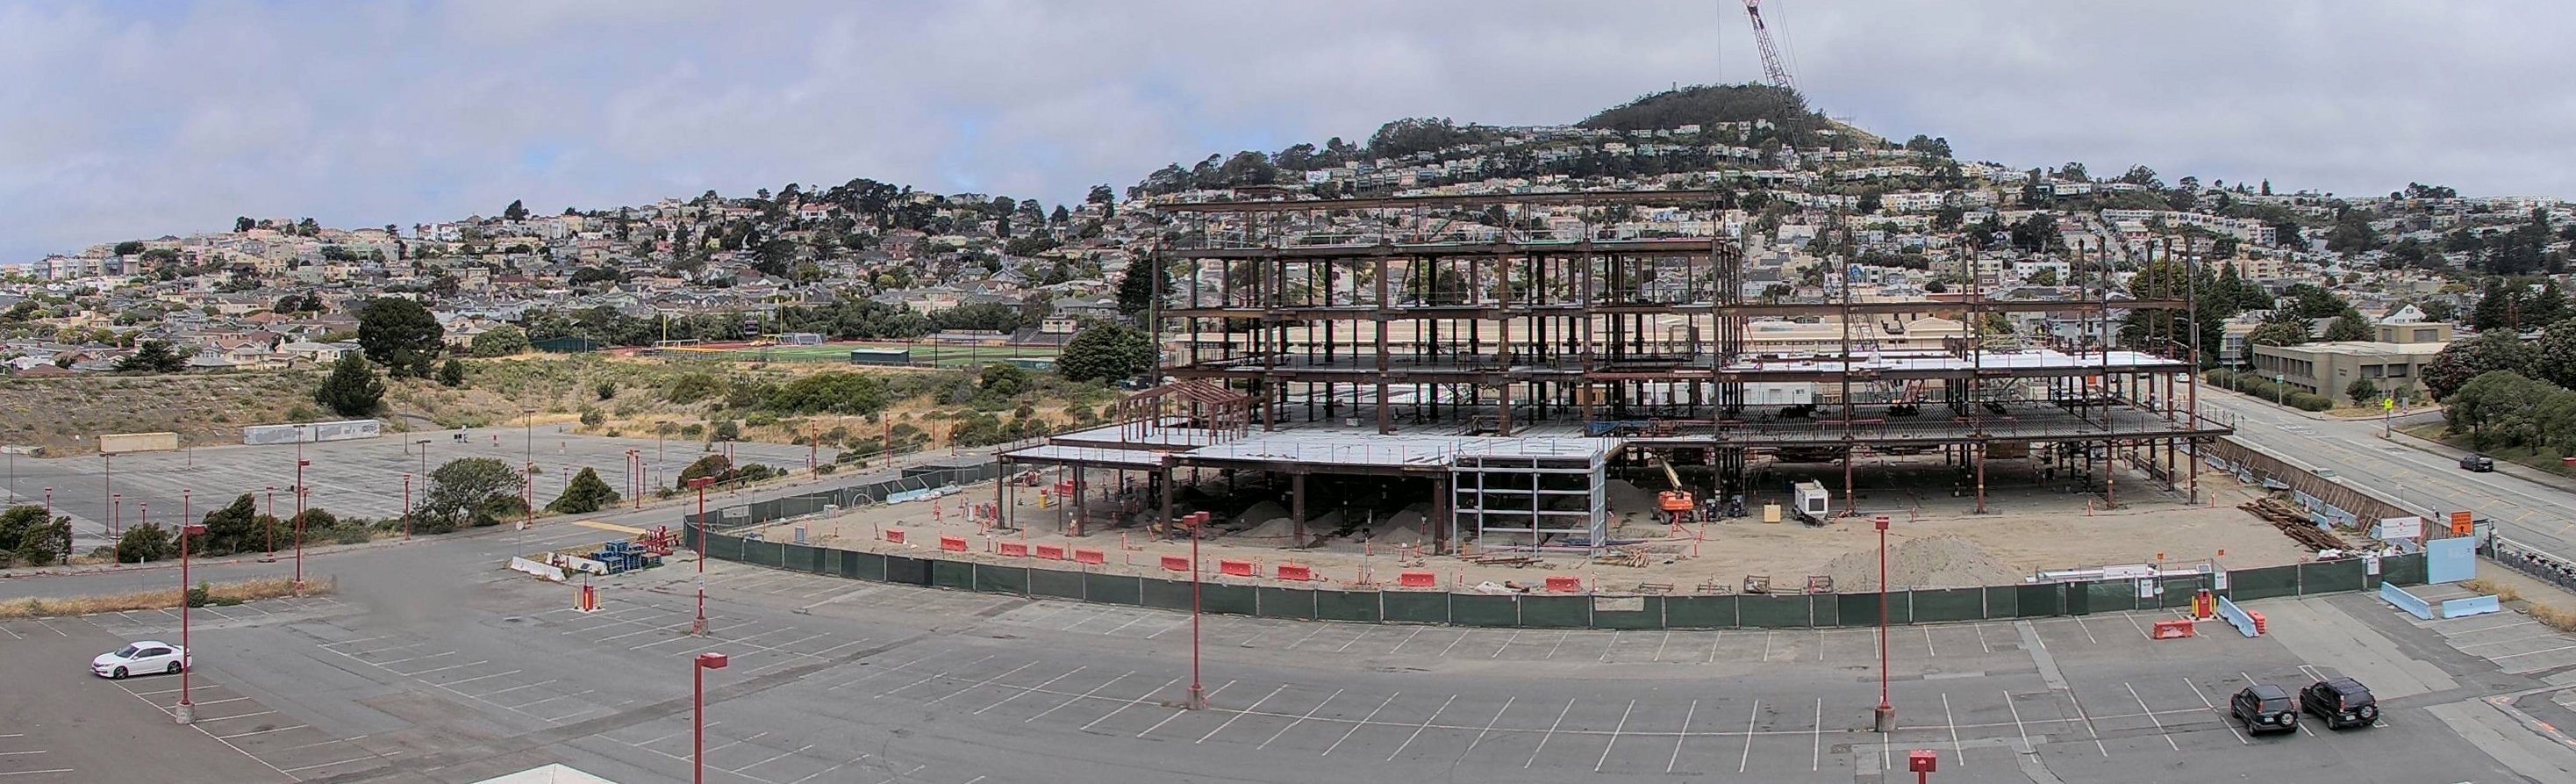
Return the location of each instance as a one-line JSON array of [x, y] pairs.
[[1936, 540]]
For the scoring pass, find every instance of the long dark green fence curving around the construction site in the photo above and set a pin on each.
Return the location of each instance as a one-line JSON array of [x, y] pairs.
[[1302, 600]]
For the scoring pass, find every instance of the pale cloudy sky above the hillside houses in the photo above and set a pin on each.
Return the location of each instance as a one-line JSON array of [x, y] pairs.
[[138, 120]]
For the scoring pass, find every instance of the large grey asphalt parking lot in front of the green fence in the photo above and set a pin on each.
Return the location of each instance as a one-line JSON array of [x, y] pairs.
[[869, 682]]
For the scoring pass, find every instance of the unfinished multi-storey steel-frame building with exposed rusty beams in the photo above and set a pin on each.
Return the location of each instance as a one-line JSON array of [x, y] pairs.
[[1513, 370]]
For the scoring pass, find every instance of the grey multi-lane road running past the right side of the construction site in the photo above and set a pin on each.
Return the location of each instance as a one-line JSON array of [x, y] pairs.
[[2541, 514]]
